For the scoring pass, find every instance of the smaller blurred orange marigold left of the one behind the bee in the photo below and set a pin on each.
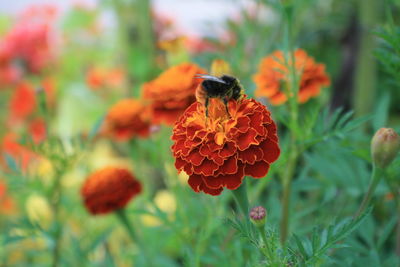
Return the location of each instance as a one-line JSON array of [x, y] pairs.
[[128, 118]]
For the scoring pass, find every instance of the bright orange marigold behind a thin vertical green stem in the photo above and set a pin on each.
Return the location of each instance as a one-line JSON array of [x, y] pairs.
[[273, 74]]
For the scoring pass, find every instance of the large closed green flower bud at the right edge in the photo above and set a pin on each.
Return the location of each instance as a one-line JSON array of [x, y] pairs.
[[384, 147]]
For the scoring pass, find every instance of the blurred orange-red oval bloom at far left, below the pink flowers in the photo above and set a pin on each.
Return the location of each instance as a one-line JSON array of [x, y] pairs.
[[23, 101]]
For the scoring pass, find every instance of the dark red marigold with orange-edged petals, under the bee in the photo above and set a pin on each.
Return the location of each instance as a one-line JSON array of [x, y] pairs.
[[218, 151]]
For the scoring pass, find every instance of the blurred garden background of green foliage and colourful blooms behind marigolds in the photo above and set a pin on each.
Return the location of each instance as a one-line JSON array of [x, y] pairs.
[[65, 64]]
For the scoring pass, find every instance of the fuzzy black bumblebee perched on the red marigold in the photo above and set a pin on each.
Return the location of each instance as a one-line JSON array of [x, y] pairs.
[[225, 88]]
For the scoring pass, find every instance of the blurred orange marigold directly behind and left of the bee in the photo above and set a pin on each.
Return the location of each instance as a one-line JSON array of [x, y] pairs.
[[172, 92]]
